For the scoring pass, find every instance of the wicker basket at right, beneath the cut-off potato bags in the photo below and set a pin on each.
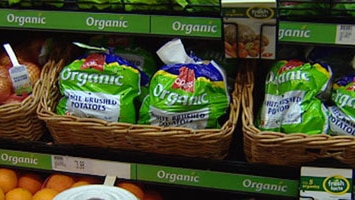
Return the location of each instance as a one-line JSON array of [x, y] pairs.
[[294, 149]]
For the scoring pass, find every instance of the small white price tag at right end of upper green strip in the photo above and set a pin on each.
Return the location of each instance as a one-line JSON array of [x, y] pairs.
[[344, 34]]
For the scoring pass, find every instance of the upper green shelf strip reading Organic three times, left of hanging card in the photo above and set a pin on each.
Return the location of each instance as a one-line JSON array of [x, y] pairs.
[[90, 22]]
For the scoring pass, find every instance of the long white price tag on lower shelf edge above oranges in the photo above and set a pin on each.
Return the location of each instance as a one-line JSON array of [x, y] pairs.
[[91, 166]]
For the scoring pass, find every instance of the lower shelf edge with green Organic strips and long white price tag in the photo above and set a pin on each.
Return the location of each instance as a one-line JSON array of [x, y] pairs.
[[223, 175]]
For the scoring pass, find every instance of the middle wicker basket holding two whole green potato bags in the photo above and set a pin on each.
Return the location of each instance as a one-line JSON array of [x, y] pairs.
[[205, 143]]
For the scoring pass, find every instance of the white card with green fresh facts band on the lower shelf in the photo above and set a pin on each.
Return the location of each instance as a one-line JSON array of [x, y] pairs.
[[326, 183]]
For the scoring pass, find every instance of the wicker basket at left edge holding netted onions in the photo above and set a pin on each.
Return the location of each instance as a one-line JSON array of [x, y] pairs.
[[19, 121]]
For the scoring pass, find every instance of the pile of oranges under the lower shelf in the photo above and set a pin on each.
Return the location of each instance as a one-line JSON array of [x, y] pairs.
[[24, 185]]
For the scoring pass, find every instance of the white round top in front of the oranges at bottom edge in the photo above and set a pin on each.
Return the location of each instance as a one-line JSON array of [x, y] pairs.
[[95, 192]]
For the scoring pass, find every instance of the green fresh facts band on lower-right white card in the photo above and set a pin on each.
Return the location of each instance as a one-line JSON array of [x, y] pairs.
[[336, 185]]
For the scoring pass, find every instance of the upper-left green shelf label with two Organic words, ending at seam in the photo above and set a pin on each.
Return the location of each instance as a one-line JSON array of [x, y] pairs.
[[79, 21]]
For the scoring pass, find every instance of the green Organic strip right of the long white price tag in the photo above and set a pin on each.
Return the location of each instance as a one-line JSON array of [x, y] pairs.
[[217, 180]]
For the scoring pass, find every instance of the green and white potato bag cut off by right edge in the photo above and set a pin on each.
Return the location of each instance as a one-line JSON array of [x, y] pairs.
[[342, 113]]
